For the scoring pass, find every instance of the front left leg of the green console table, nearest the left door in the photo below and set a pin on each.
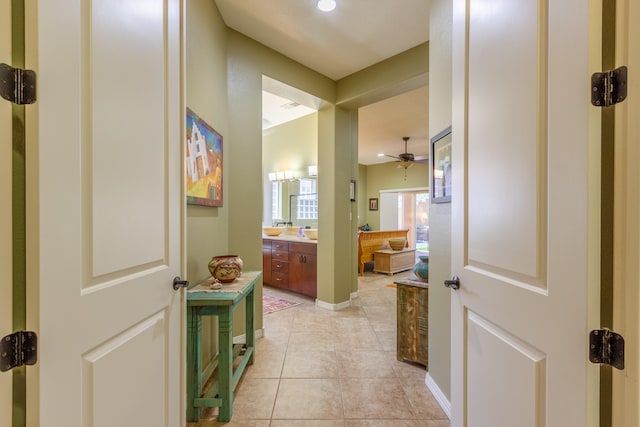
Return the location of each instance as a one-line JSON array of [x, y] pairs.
[[194, 363]]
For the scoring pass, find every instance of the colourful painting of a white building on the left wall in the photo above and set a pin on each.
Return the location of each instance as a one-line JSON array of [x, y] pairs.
[[204, 162]]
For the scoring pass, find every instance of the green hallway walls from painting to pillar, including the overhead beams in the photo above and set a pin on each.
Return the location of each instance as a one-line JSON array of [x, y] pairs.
[[224, 87]]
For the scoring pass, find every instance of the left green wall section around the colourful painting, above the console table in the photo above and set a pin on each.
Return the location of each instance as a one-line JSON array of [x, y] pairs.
[[206, 86]]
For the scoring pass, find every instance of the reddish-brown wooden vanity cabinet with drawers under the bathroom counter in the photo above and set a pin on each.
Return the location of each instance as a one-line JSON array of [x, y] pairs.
[[290, 265]]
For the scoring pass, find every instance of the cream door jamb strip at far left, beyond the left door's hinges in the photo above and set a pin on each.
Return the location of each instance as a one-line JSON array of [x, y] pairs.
[[6, 263]]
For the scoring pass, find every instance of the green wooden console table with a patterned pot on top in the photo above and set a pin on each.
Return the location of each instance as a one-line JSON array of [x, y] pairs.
[[204, 301]]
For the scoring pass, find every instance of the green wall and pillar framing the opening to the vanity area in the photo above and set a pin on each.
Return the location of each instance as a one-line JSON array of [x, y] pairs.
[[247, 62]]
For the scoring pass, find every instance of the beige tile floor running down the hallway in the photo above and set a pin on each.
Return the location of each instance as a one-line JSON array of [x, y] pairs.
[[319, 368]]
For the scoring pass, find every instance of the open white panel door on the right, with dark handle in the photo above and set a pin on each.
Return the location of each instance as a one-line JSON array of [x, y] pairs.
[[520, 213]]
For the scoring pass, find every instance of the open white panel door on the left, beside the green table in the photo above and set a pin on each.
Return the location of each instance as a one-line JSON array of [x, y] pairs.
[[104, 210]]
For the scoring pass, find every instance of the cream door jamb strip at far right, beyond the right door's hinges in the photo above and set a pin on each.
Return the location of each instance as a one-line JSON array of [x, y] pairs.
[[626, 383]]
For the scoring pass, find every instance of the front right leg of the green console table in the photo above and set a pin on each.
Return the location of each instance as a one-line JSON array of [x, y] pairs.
[[225, 368]]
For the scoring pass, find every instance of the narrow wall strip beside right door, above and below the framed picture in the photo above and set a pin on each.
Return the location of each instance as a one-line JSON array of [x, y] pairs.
[[440, 214]]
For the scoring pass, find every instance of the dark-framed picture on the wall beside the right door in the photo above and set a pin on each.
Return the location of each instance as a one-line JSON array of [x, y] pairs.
[[441, 167]]
